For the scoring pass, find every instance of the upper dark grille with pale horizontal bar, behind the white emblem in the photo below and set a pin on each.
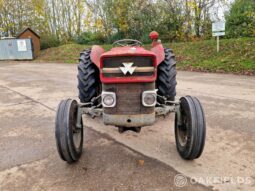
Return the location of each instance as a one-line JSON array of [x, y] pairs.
[[143, 66]]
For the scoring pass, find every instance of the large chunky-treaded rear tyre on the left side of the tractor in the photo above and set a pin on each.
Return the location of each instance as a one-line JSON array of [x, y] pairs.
[[89, 84]]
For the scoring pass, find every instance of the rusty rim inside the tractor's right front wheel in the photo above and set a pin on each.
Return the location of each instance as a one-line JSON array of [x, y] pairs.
[[182, 130]]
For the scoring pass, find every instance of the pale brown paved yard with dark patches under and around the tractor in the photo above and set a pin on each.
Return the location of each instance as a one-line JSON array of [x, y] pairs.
[[30, 93]]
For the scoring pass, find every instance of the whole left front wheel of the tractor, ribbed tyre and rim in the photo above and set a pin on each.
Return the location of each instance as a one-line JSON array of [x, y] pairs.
[[69, 138]]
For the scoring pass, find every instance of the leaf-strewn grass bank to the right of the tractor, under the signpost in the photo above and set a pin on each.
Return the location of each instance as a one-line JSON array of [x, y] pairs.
[[235, 56]]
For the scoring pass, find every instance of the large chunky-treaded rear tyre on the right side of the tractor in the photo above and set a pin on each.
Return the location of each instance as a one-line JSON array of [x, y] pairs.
[[166, 80]]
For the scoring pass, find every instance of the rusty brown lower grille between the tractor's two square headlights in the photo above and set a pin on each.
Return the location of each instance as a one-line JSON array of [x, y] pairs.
[[129, 98]]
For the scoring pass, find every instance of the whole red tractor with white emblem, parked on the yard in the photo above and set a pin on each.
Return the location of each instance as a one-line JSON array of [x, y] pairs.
[[129, 86]]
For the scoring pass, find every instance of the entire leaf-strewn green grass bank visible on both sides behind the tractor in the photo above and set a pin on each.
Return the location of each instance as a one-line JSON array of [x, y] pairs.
[[235, 56]]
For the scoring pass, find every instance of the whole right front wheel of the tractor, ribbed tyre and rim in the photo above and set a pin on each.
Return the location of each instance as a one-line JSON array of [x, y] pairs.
[[190, 128]]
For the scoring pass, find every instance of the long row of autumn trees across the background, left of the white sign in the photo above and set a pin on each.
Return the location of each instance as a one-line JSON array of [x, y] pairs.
[[107, 20]]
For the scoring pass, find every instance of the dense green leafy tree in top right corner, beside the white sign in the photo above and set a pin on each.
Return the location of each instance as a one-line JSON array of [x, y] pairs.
[[240, 21]]
